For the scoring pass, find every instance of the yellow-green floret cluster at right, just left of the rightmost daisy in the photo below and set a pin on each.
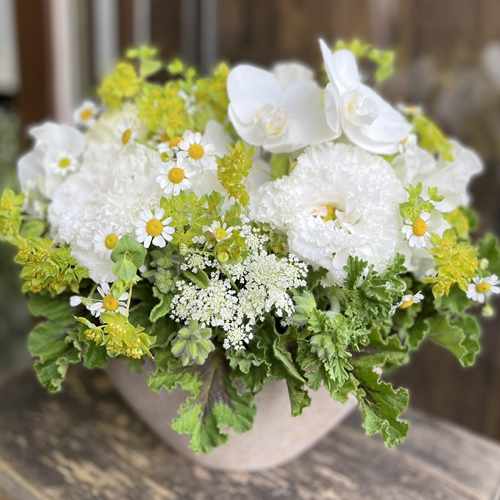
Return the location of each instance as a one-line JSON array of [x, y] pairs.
[[456, 263]]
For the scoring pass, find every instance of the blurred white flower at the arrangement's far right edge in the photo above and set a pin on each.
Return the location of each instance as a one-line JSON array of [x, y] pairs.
[[451, 179]]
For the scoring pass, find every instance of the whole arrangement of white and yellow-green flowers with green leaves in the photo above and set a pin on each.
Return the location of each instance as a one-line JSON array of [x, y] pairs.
[[249, 226]]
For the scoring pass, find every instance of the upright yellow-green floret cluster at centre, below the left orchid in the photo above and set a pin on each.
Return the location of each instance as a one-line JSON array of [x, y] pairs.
[[233, 169]]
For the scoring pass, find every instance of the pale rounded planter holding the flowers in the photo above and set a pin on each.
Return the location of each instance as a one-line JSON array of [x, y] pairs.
[[275, 438]]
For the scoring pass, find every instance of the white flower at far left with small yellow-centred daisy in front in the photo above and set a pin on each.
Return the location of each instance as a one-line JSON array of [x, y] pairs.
[[57, 152]]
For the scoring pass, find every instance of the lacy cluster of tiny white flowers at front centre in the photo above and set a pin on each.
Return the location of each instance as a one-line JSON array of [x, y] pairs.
[[236, 301]]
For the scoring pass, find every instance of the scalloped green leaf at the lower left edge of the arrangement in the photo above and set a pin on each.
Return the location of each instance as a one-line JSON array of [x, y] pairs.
[[50, 342]]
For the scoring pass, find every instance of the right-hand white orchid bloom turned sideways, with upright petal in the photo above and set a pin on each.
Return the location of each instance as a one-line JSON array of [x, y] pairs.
[[356, 110]]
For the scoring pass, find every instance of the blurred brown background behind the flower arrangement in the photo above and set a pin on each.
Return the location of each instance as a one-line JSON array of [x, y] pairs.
[[52, 53]]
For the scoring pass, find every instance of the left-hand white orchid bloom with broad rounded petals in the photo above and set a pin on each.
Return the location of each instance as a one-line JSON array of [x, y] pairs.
[[280, 118]]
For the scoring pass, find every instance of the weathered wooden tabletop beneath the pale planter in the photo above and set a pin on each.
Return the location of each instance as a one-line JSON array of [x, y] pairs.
[[86, 444]]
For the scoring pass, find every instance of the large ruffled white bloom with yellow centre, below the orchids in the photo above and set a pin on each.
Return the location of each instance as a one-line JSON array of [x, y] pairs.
[[338, 201]]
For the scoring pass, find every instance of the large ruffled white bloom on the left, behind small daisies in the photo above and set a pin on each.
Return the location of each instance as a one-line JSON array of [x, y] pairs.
[[112, 188]]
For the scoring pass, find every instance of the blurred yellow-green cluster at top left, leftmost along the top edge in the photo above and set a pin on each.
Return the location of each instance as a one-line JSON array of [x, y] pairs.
[[121, 84]]
